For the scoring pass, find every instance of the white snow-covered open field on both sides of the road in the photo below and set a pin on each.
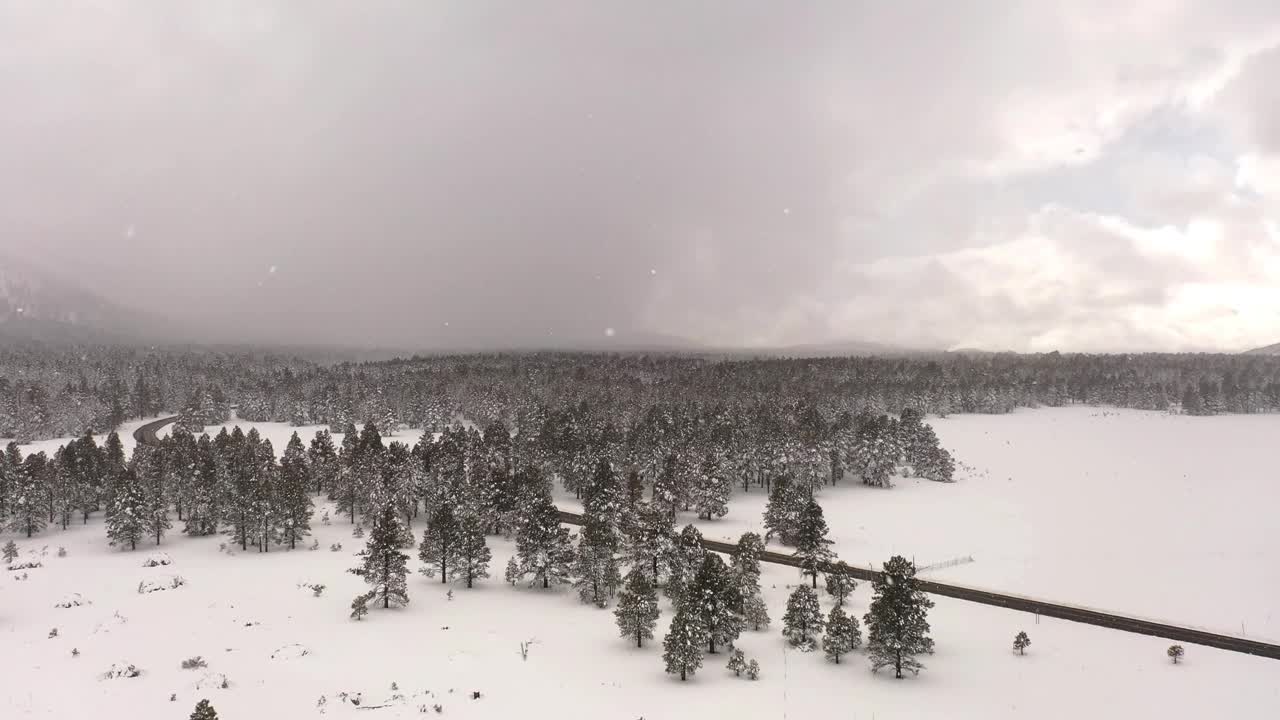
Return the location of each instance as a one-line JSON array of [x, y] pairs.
[[1133, 512]]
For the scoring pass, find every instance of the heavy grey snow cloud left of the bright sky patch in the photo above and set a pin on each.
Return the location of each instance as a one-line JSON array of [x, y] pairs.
[[504, 174]]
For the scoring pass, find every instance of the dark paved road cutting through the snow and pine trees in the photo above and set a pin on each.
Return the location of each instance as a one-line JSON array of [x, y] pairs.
[[148, 434]]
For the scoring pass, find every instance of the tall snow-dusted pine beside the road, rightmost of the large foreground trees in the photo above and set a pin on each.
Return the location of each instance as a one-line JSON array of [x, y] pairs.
[[898, 628]]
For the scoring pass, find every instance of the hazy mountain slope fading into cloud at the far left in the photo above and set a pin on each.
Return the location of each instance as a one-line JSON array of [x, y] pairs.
[[36, 306]]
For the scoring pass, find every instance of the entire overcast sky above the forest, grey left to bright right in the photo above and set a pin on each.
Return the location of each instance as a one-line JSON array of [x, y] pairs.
[[1089, 176]]
